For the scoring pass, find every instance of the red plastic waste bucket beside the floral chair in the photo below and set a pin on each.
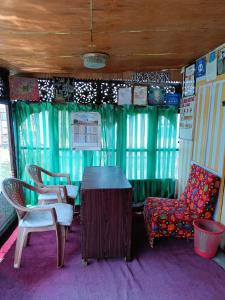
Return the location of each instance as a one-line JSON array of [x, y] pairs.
[[207, 237]]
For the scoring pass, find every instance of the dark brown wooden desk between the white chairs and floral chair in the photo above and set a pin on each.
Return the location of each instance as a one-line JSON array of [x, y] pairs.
[[106, 213]]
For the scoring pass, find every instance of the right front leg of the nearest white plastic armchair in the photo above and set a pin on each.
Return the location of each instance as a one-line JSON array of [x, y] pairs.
[[61, 237]]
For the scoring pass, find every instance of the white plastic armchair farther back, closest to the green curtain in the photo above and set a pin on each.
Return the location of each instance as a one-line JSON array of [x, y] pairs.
[[68, 192]]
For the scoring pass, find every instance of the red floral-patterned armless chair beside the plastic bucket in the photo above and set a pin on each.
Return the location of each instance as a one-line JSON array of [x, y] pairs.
[[174, 217]]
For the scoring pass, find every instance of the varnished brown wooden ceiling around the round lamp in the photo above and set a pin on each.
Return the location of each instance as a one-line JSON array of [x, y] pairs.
[[49, 36]]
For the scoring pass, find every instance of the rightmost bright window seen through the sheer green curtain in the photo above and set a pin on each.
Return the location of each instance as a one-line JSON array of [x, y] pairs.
[[152, 147]]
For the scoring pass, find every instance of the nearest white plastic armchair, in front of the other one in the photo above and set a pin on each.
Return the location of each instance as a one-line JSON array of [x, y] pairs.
[[56, 216]]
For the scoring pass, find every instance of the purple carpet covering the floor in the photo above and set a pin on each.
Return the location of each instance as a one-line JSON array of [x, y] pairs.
[[169, 272]]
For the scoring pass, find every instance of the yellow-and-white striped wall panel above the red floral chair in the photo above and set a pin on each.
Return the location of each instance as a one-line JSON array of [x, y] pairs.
[[210, 127]]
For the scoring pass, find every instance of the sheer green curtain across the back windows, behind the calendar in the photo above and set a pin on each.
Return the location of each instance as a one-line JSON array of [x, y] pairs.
[[141, 140]]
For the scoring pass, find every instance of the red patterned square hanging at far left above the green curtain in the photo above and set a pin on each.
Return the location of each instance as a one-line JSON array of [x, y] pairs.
[[22, 88]]
